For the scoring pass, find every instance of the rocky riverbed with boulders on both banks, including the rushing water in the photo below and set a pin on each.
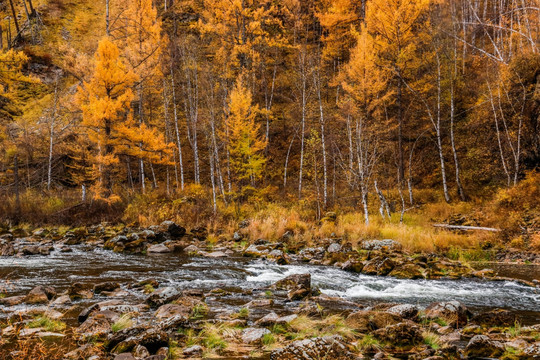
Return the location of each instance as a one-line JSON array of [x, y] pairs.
[[163, 292]]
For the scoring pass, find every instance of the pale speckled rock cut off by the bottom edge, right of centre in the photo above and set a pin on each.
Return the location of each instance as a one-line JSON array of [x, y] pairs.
[[328, 347]]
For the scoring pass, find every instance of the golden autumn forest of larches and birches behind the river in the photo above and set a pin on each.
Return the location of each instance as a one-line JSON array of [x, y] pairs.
[[377, 107]]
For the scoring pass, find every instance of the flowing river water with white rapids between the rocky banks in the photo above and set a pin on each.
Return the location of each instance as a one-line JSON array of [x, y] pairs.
[[237, 274]]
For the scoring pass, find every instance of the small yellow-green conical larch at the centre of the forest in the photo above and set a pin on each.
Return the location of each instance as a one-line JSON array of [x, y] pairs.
[[245, 141]]
